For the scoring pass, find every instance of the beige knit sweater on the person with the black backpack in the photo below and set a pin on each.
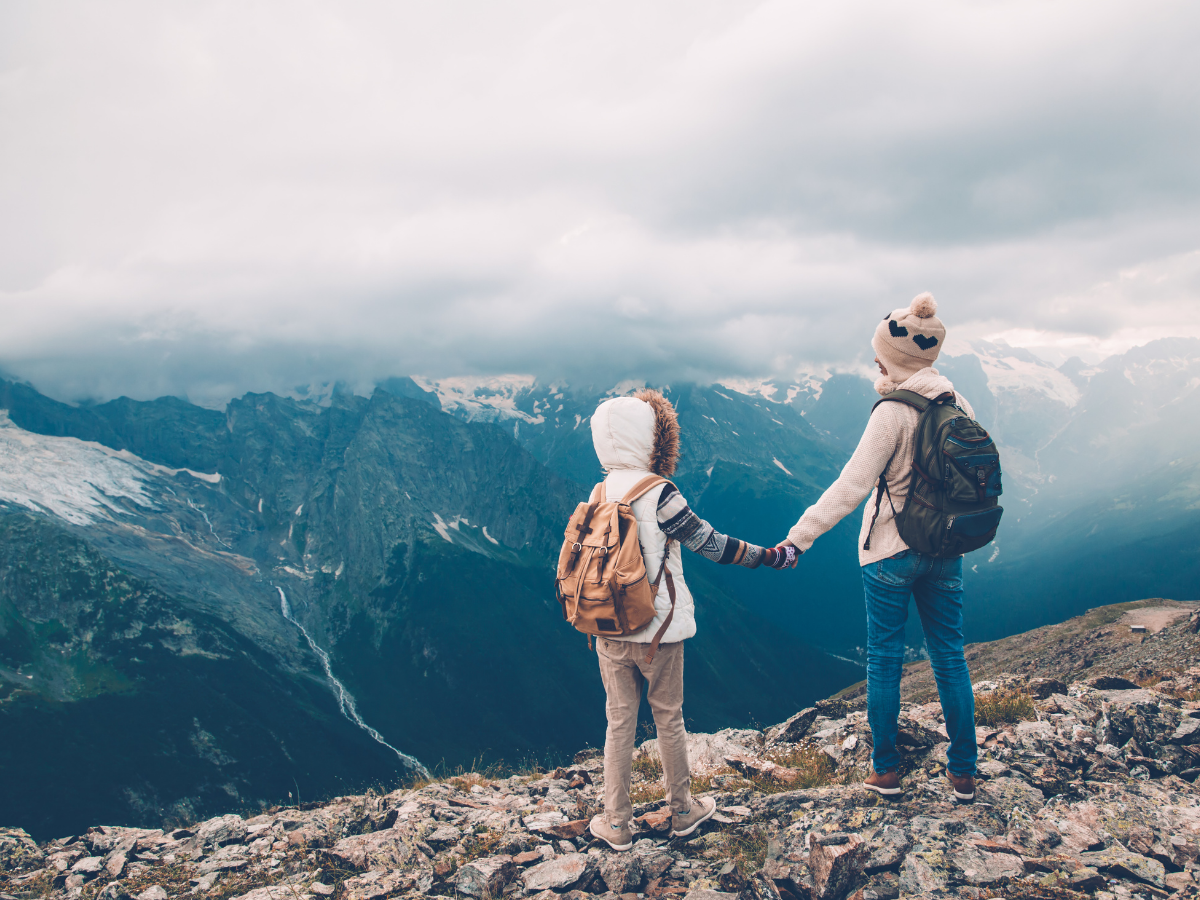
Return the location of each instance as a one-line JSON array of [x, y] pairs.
[[887, 443]]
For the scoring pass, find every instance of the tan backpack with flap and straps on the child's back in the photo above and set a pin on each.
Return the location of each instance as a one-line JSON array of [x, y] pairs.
[[603, 584]]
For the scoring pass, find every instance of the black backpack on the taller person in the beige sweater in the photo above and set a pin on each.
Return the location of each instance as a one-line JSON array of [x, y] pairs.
[[952, 507]]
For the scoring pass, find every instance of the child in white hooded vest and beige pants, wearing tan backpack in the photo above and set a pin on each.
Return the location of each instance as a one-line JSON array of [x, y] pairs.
[[637, 437]]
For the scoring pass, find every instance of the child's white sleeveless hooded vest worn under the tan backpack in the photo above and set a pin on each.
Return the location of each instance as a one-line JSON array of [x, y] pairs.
[[623, 433]]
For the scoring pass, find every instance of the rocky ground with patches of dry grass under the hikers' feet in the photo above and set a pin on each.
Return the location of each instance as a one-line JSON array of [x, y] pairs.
[[1087, 790]]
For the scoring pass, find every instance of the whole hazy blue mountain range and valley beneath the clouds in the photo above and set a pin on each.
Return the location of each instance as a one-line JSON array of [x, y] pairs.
[[149, 551]]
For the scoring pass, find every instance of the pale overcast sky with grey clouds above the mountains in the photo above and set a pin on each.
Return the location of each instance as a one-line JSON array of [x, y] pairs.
[[209, 199]]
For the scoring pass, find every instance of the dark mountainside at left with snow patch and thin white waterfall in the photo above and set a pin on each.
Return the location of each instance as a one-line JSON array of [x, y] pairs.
[[380, 561]]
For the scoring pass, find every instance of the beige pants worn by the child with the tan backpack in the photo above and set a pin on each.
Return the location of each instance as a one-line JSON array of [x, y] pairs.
[[625, 671]]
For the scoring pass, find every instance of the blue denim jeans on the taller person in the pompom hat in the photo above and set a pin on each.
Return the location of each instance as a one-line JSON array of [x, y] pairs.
[[938, 587]]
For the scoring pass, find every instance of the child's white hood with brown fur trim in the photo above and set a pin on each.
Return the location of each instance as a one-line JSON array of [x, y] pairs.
[[639, 433]]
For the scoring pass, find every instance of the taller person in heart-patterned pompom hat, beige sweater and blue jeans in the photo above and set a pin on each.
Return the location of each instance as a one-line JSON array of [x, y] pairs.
[[907, 345]]
